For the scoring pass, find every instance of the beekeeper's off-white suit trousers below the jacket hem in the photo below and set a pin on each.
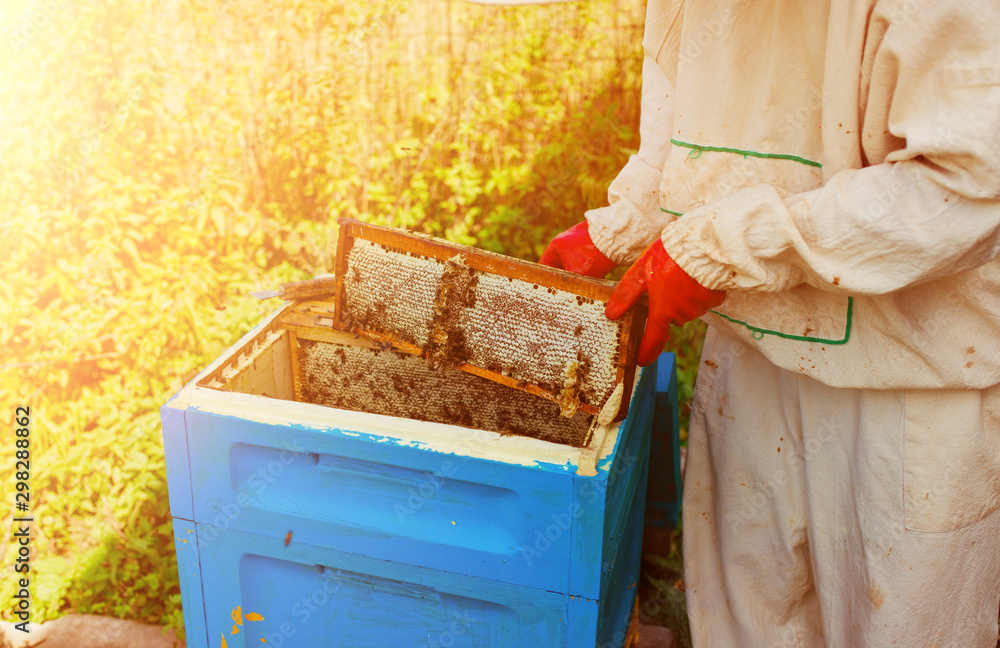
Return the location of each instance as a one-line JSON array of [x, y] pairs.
[[822, 517]]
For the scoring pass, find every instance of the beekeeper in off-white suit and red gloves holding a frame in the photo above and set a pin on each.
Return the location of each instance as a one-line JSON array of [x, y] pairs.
[[821, 182]]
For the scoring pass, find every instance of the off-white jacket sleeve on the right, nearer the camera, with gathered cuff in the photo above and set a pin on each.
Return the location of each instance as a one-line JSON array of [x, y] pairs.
[[930, 209]]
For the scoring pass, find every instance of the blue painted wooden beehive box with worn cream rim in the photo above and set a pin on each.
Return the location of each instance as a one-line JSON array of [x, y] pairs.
[[538, 539]]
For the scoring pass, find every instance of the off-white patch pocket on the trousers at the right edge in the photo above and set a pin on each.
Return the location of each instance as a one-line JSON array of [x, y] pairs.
[[951, 458]]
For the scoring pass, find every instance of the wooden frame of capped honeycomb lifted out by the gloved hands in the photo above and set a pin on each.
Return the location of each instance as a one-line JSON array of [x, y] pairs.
[[520, 324]]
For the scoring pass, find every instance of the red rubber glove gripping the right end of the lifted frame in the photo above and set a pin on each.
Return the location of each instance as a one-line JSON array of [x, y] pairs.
[[674, 298]]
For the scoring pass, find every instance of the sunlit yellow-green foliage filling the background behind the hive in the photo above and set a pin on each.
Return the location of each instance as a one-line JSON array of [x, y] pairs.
[[162, 159]]
